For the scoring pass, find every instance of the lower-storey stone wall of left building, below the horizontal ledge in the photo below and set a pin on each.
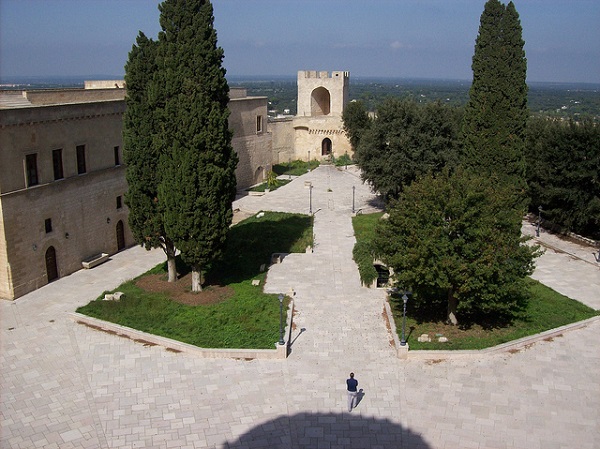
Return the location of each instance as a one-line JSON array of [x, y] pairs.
[[84, 215]]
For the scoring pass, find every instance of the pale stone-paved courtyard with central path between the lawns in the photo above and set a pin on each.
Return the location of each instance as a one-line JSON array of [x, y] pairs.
[[64, 385]]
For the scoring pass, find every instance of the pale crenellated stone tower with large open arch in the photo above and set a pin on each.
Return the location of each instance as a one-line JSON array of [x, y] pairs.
[[318, 126]]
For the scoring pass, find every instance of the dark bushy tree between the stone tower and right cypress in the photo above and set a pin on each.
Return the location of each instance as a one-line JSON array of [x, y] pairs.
[[406, 141]]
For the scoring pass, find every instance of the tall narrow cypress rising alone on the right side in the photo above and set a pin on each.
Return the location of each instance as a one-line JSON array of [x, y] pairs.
[[496, 114]]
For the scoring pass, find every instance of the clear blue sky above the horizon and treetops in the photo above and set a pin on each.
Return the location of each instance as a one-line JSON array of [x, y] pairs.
[[391, 38]]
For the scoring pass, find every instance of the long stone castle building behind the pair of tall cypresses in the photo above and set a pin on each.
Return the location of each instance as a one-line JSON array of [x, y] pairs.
[[62, 179]]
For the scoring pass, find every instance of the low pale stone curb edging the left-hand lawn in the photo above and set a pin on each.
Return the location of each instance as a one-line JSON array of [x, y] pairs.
[[280, 351]]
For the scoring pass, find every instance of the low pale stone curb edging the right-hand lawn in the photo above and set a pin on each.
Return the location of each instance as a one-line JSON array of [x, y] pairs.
[[511, 346]]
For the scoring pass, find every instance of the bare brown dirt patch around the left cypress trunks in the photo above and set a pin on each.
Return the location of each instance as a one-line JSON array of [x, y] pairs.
[[180, 290]]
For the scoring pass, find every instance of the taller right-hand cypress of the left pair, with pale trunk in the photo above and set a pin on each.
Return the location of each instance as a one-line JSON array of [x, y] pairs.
[[198, 162]]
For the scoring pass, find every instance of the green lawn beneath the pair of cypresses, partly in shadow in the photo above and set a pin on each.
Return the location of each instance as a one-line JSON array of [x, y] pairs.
[[238, 314]]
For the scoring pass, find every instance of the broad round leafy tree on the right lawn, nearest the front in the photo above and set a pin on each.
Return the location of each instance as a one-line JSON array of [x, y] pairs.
[[454, 241]]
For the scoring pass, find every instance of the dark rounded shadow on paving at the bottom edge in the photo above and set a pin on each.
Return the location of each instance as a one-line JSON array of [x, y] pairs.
[[313, 430]]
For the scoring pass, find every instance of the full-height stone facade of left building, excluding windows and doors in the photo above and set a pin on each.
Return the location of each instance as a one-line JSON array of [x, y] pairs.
[[81, 208]]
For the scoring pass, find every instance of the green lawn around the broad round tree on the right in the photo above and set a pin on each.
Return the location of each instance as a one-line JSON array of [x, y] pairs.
[[547, 310]]
